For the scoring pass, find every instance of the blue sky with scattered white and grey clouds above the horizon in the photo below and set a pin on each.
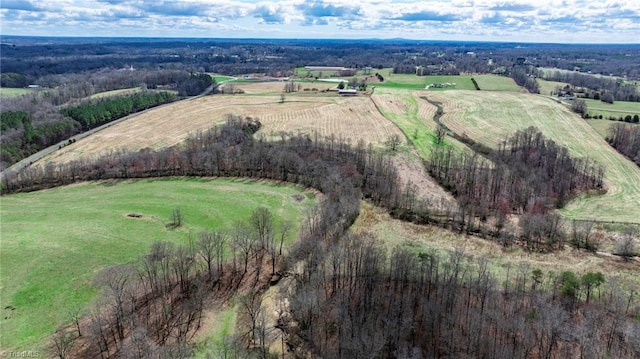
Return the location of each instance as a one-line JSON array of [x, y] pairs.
[[564, 21]]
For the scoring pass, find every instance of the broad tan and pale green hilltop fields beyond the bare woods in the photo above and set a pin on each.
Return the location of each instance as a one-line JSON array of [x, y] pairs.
[[484, 116]]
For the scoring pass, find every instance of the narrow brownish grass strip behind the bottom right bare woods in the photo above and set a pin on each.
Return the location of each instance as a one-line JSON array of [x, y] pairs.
[[428, 238]]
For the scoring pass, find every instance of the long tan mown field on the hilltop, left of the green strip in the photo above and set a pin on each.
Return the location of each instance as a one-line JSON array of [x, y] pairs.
[[352, 118]]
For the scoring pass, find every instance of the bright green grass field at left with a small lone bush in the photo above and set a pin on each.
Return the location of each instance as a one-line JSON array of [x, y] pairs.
[[55, 241]]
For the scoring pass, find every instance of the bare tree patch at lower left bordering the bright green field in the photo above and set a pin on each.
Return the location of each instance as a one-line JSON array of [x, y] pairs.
[[154, 307]]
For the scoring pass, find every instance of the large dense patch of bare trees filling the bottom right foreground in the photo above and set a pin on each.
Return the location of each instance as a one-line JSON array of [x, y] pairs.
[[355, 299]]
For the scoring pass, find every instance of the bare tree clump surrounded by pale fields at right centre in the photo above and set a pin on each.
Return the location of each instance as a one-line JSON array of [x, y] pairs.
[[528, 174]]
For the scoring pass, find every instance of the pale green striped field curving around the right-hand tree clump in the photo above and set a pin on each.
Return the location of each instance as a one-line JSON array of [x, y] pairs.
[[489, 117]]
